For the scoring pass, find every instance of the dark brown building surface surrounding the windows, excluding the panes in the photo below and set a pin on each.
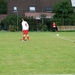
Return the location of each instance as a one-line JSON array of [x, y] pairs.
[[23, 5]]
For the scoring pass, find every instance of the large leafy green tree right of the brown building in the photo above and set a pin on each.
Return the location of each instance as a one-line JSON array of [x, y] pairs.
[[63, 11]]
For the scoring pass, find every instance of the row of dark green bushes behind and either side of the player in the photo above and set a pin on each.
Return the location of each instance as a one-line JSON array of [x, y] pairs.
[[11, 23]]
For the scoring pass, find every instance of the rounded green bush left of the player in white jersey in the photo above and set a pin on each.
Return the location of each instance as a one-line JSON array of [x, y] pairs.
[[10, 23]]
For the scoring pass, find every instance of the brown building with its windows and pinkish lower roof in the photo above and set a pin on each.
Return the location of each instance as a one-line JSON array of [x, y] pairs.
[[31, 7]]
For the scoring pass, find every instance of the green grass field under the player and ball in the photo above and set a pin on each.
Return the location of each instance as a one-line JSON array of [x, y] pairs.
[[45, 53]]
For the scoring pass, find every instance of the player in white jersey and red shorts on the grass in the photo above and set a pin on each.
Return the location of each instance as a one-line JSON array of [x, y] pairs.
[[25, 28]]
